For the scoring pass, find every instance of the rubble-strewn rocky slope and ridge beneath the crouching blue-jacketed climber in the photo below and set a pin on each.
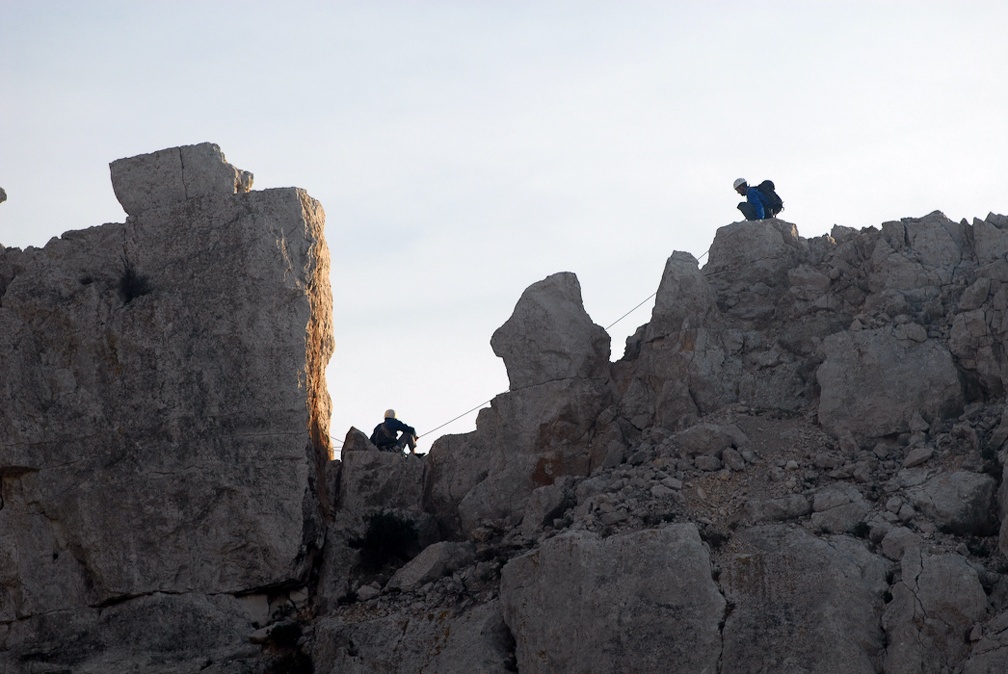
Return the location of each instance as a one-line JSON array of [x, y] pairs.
[[795, 467]]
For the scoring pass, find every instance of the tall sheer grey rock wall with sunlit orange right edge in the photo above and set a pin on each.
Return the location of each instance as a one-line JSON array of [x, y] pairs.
[[165, 424]]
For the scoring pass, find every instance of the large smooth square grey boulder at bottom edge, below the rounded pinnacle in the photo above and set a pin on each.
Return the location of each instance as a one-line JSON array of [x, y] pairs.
[[638, 603]]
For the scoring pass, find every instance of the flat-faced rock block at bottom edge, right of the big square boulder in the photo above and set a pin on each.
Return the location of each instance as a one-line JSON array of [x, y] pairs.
[[802, 604]]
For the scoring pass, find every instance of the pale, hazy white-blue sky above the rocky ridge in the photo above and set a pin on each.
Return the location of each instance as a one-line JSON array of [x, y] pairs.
[[464, 151]]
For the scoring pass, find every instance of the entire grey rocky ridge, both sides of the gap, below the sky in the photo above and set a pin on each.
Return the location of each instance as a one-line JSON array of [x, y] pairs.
[[797, 466]]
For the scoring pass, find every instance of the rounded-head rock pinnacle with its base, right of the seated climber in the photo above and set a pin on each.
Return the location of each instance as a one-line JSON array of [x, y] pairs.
[[543, 430]]
